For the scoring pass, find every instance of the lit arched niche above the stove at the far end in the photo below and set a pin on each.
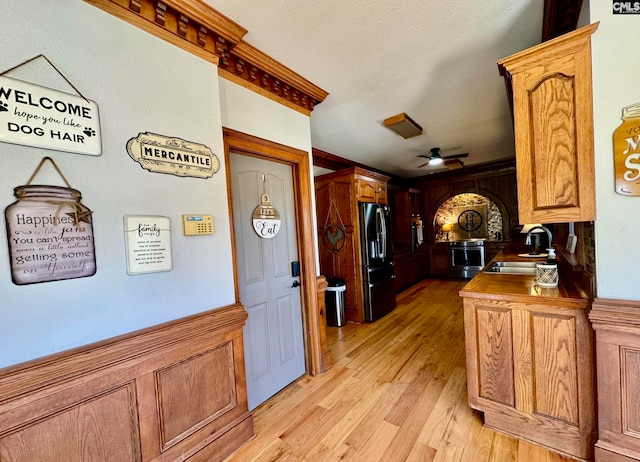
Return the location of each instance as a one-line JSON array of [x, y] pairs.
[[494, 217]]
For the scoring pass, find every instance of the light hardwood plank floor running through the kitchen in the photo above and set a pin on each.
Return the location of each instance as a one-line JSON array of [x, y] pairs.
[[396, 392]]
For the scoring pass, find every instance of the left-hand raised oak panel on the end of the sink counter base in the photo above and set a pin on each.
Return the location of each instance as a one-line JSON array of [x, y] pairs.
[[495, 355]]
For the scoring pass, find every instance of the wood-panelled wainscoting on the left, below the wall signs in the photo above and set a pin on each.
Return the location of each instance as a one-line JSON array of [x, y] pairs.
[[173, 392]]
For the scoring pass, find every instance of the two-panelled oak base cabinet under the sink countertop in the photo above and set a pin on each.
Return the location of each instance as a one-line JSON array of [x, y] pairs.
[[529, 370]]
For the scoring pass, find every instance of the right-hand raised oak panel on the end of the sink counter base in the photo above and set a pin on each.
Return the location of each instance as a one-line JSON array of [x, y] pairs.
[[555, 367]]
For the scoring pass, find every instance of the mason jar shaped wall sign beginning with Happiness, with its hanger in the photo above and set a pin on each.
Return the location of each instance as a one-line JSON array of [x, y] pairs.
[[50, 233]]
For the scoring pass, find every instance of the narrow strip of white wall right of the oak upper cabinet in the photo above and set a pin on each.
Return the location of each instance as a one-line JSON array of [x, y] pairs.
[[616, 84]]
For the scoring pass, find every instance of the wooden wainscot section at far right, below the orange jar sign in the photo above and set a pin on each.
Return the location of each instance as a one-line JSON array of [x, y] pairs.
[[617, 326]]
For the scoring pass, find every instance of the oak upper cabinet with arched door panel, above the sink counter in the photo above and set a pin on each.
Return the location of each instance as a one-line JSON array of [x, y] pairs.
[[553, 118]]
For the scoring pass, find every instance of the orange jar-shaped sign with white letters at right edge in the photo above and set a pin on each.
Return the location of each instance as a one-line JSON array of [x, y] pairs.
[[626, 151]]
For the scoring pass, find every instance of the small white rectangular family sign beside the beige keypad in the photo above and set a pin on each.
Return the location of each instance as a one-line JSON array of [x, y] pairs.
[[148, 243]]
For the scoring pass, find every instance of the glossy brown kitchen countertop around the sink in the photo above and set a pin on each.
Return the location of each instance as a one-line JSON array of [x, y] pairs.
[[523, 287]]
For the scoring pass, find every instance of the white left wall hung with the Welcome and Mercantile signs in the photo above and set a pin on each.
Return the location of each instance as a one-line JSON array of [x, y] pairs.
[[140, 84]]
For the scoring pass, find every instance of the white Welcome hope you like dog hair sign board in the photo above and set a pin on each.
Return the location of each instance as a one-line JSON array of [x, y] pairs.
[[41, 117]]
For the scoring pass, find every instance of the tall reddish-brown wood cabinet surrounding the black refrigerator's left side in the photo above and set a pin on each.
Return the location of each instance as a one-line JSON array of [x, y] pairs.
[[337, 197]]
